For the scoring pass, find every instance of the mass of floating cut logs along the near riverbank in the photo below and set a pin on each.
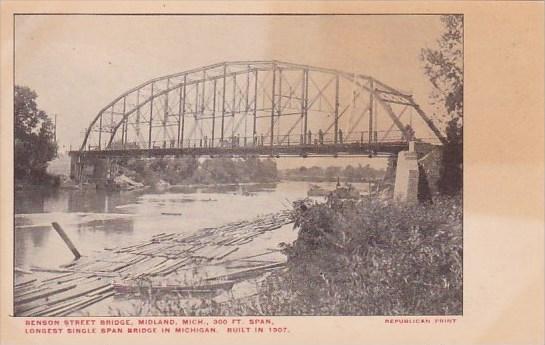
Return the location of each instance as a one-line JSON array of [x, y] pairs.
[[210, 260]]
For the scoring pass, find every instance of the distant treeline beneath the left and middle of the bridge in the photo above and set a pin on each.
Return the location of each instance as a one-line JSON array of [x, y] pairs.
[[189, 170]]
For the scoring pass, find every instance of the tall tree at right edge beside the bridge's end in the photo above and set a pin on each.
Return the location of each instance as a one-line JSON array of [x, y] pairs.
[[444, 68]]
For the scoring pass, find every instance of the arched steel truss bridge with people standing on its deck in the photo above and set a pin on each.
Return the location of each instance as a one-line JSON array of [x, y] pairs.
[[257, 108]]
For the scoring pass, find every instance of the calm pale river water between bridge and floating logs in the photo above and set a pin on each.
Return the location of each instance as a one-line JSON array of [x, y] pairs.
[[95, 220]]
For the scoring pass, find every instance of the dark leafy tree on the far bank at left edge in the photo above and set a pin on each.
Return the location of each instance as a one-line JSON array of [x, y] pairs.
[[34, 138]]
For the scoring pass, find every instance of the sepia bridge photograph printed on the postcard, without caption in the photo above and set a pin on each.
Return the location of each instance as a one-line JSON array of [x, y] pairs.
[[184, 165]]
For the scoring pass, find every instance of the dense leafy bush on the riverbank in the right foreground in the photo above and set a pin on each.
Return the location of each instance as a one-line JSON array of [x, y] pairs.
[[371, 258]]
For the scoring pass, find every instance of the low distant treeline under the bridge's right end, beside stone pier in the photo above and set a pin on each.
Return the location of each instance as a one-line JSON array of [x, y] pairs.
[[349, 173]]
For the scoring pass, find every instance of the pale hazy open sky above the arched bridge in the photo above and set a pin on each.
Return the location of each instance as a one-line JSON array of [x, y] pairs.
[[78, 64]]
